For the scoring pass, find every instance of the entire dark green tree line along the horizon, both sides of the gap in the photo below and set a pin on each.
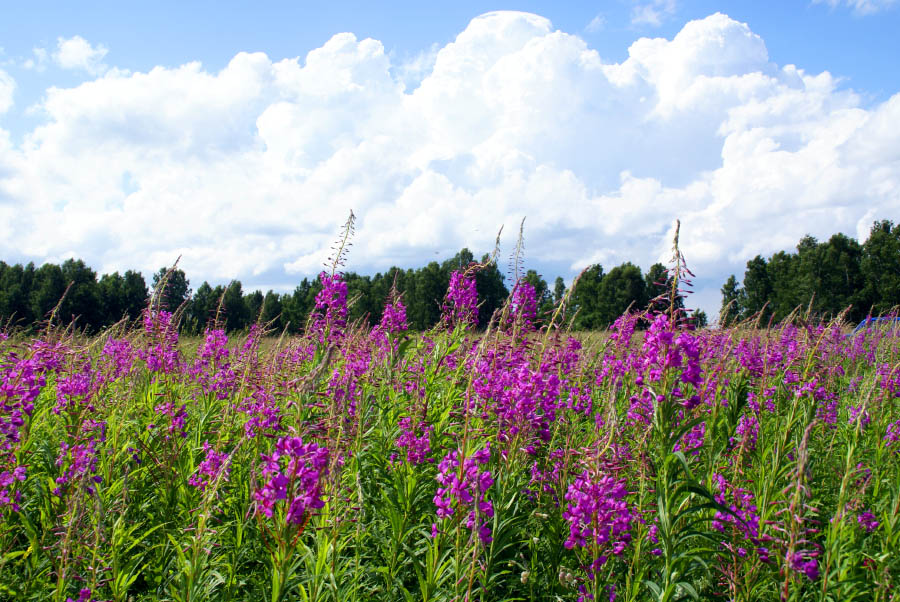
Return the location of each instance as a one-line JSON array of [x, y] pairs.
[[825, 277]]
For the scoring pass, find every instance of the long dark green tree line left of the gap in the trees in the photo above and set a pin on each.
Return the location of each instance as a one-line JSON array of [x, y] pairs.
[[72, 292]]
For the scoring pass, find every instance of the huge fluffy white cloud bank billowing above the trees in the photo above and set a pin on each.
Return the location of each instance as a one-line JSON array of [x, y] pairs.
[[248, 172]]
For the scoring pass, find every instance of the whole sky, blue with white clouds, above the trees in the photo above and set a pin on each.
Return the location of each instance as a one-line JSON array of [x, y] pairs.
[[239, 136]]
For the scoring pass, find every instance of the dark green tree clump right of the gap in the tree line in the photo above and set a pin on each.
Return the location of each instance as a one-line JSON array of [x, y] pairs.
[[824, 278]]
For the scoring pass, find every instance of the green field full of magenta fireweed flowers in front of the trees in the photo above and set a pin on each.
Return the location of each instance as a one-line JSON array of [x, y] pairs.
[[357, 464]]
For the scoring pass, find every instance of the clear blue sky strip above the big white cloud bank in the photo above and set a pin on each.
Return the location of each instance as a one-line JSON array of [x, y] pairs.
[[860, 45]]
